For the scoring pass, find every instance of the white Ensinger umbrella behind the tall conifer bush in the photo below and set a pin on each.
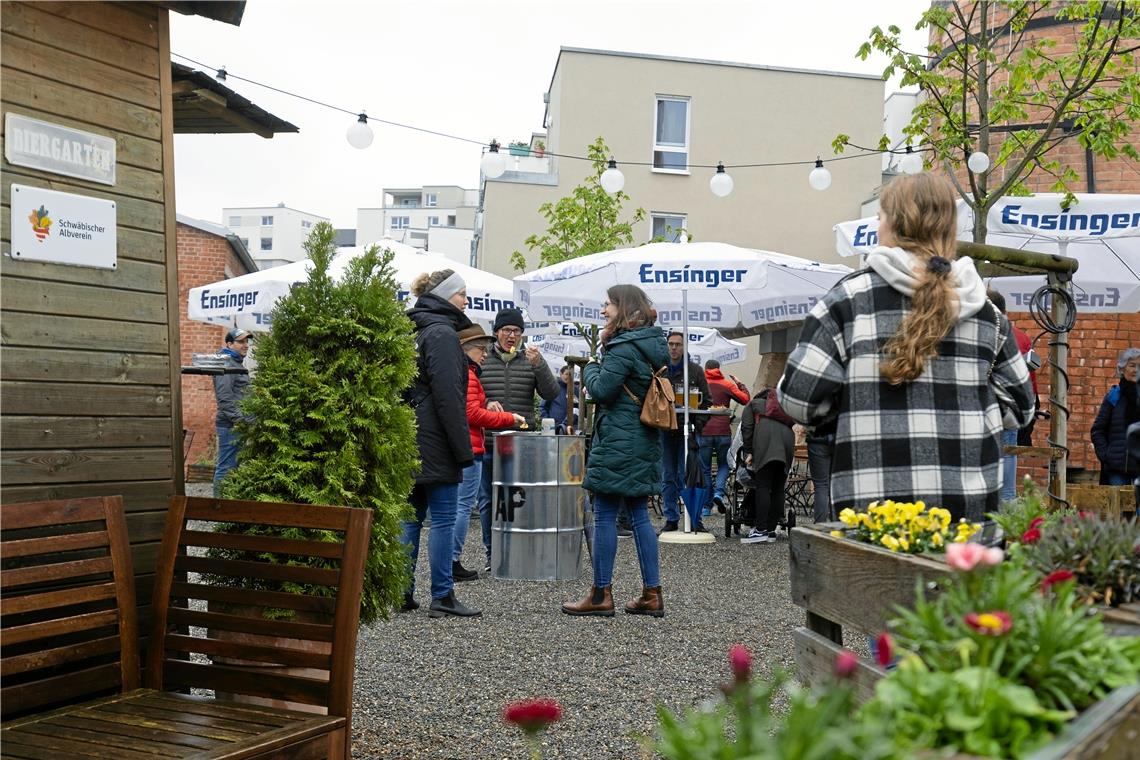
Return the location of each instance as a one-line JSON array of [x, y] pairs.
[[248, 301]]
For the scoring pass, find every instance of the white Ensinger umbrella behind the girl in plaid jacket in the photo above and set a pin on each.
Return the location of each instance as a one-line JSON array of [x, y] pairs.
[[1102, 232]]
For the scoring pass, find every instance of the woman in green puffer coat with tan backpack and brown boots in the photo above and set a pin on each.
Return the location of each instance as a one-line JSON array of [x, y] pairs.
[[625, 459]]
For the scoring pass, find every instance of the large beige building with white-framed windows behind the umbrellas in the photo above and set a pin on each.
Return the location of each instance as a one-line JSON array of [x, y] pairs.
[[665, 120]]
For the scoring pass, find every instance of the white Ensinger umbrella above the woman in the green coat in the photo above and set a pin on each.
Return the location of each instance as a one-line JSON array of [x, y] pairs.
[[701, 284]]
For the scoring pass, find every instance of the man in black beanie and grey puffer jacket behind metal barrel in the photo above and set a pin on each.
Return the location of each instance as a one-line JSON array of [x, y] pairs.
[[511, 380]]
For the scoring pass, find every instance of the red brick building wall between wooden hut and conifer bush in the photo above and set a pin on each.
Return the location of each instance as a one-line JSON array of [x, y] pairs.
[[202, 259]]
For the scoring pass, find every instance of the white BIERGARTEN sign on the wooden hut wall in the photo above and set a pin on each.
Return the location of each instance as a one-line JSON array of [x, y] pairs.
[[59, 150]]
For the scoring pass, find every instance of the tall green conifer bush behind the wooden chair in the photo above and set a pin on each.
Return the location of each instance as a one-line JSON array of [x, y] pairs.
[[331, 426]]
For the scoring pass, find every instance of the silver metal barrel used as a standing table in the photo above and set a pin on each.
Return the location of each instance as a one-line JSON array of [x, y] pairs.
[[539, 506]]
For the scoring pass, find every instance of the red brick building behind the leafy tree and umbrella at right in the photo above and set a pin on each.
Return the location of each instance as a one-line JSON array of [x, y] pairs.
[[1096, 340]]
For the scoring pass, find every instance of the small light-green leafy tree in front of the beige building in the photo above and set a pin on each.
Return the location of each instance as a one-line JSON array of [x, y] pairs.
[[585, 222]]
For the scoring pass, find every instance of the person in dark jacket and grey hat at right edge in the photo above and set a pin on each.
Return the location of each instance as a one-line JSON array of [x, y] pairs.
[[1120, 410]]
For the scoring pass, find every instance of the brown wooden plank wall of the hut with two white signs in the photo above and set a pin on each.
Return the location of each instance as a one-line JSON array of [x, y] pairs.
[[89, 395]]
